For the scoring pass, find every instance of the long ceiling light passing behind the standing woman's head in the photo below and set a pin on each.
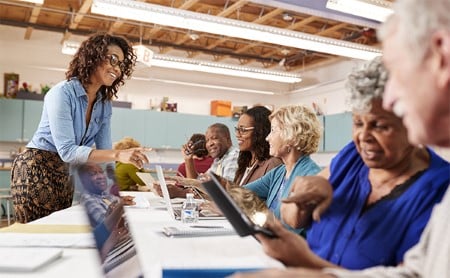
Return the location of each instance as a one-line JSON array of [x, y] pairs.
[[148, 58]]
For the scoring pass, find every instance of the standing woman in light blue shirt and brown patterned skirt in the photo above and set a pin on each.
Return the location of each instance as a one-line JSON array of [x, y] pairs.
[[76, 116]]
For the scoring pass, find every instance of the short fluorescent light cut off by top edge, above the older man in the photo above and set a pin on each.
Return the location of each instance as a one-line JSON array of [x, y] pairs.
[[377, 10]]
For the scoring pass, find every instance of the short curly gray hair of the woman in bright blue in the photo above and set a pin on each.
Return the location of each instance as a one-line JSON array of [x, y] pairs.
[[366, 85]]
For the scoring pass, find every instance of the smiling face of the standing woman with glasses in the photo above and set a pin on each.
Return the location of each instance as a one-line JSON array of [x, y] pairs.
[[105, 74]]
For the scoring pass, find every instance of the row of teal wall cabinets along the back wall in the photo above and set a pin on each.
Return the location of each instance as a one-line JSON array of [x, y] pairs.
[[20, 118]]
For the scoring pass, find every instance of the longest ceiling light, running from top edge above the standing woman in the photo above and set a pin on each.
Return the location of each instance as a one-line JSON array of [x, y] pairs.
[[162, 15]]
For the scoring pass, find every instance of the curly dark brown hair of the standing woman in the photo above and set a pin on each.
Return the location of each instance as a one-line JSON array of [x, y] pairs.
[[92, 53]]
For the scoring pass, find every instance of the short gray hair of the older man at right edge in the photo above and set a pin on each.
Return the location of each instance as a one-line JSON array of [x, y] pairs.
[[416, 21]]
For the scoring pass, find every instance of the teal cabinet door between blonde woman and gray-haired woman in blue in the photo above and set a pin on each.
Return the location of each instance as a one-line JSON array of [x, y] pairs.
[[338, 131]]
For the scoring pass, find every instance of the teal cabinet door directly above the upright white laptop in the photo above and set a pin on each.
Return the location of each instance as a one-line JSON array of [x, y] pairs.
[[155, 129]]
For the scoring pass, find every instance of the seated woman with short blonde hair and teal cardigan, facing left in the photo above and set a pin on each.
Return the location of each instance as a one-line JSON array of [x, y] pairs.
[[294, 135]]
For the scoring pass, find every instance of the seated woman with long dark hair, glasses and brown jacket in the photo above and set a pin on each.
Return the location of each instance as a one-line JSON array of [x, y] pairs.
[[254, 159]]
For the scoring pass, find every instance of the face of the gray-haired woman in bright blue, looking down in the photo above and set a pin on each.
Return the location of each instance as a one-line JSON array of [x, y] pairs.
[[380, 137]]
